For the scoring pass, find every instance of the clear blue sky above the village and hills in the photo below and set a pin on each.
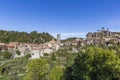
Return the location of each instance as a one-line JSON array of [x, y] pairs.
[[67, 17]]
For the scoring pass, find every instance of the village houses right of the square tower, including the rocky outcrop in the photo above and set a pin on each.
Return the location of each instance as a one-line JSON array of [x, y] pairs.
[[102, 36]]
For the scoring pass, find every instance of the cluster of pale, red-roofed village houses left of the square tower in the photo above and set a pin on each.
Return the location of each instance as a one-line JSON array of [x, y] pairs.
[[35, 50]]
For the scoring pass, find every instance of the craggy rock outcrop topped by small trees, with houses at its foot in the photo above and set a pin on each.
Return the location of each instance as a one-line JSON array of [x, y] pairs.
[[103, 36]]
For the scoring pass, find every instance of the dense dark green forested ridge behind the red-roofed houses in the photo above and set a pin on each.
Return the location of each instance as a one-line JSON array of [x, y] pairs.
[[24, 37]]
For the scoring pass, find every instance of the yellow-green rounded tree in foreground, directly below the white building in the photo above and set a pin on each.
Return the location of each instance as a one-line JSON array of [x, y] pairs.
[[37, 69]]
